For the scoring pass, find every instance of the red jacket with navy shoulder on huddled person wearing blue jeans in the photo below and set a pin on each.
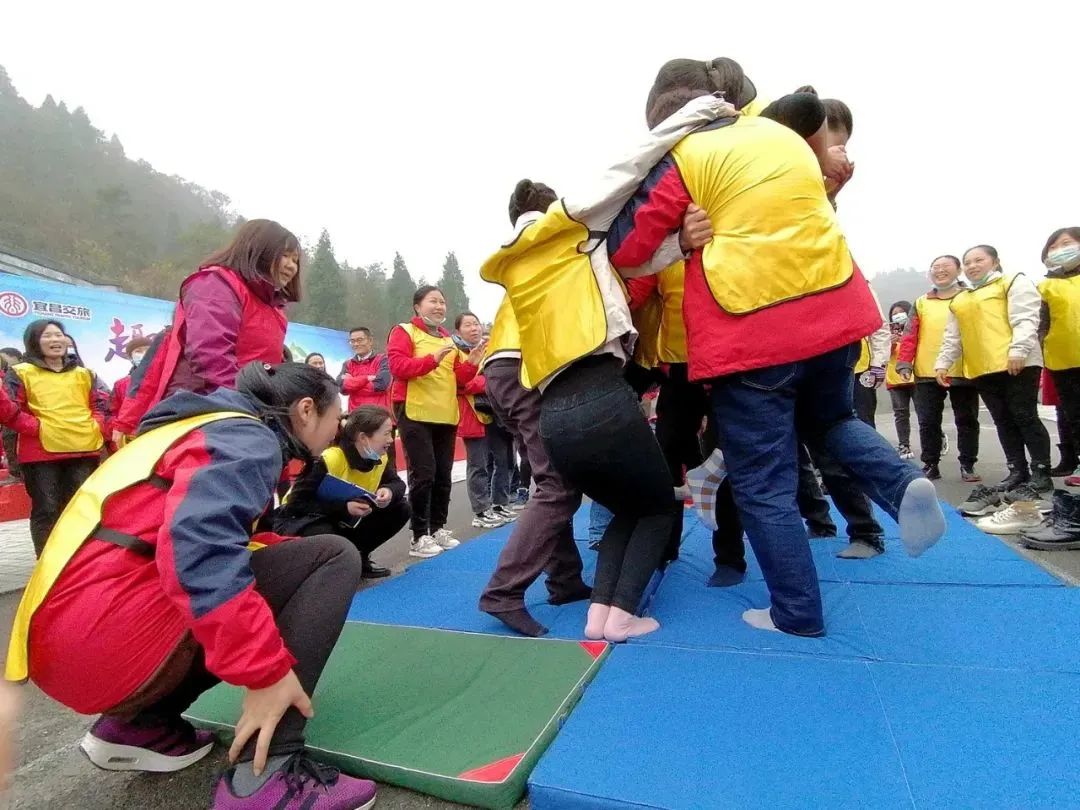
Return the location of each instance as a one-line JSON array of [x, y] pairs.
[[722, 344]]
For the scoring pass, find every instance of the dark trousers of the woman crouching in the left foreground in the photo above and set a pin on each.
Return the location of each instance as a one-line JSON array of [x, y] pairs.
[[309, 585]]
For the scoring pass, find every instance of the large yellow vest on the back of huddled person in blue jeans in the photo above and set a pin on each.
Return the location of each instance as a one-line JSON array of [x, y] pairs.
[[776, 237]]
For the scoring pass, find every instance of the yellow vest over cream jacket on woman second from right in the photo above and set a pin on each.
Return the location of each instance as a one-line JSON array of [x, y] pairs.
[[985, 332]]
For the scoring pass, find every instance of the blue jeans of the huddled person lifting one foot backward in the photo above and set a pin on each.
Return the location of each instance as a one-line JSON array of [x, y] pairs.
[[761, 417]]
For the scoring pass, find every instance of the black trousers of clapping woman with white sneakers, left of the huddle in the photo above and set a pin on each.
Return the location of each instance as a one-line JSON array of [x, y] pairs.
[[429, 449]]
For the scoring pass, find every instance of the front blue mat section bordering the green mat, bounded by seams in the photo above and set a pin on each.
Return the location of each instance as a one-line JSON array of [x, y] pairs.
[[674, 728]]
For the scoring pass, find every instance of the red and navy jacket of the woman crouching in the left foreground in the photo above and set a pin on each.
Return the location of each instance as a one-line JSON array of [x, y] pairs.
[[114, 616]]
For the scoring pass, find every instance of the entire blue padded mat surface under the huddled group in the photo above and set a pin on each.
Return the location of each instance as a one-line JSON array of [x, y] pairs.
[[948, 681]]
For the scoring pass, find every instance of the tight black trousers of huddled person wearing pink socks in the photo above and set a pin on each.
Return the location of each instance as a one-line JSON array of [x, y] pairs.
[[599, 441]]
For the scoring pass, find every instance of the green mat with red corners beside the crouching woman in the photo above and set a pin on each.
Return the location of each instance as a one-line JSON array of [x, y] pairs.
[[462, 717]]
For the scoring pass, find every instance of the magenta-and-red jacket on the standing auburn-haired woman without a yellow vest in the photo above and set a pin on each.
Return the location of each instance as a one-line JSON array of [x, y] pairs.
[[221, 325]]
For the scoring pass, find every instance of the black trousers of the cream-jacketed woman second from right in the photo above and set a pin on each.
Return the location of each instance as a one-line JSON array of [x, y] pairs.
[[1014, 406]]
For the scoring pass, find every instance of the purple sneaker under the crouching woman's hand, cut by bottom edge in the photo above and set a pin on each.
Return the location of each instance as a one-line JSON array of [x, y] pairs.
[[300, 785]]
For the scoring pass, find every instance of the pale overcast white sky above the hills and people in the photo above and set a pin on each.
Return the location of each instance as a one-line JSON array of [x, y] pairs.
[[407, 129]]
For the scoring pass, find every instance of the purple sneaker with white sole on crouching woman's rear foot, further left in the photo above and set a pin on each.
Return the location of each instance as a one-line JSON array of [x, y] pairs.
[[117, 746]]
